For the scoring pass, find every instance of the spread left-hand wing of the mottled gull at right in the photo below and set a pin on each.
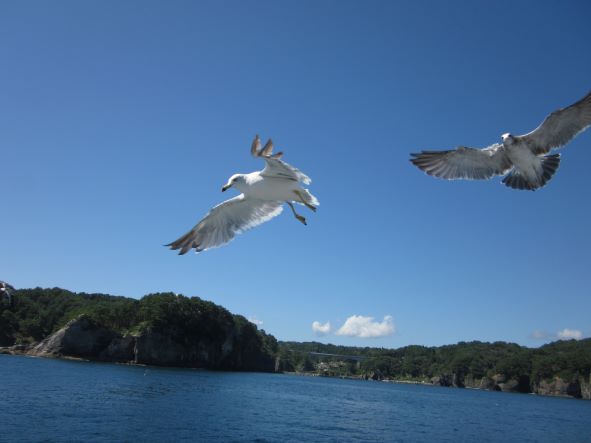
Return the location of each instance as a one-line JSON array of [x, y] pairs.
[[466, 163]]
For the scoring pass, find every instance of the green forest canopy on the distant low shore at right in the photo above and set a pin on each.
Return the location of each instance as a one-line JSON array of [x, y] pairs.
[[565, 359]]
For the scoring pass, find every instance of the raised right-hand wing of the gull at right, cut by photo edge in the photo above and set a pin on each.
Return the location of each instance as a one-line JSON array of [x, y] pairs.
[[560, 127]]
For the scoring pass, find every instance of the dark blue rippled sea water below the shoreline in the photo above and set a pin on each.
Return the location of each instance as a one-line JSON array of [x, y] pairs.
[[43, 400]]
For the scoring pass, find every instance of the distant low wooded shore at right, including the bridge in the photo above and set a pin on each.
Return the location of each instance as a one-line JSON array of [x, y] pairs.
[[462, 364]]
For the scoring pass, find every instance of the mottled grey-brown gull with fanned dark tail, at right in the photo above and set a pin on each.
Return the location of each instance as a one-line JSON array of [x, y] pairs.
[[522, 157]]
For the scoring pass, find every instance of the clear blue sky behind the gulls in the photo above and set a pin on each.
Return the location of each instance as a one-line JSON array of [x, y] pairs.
[[120, 122]]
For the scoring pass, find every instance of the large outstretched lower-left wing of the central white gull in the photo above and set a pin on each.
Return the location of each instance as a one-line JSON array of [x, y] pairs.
[[224, 221]]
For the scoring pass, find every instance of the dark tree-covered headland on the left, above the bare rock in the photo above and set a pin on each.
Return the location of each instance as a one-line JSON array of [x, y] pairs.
[[203, 333]]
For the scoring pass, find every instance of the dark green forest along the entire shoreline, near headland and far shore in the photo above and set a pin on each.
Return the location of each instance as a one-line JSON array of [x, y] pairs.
[[30, 315]]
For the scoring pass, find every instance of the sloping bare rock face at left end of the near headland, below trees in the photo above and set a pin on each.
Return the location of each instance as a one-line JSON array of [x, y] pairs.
[[81, 337]]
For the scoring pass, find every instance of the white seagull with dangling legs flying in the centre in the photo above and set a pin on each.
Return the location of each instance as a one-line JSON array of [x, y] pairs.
[[262, 198]]
